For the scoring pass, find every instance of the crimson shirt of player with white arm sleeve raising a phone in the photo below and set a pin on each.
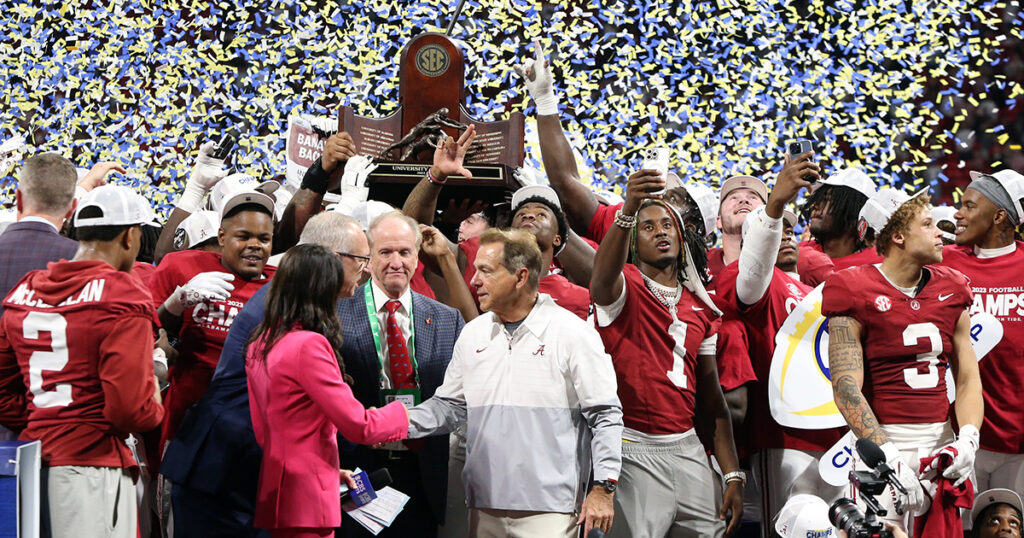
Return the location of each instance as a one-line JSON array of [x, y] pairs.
[[763, 320]]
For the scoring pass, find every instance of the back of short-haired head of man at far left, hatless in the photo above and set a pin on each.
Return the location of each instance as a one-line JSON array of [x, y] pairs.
[[47, 186]]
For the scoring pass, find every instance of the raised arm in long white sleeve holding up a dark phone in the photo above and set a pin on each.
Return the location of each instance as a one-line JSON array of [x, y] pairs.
[[757, 259]]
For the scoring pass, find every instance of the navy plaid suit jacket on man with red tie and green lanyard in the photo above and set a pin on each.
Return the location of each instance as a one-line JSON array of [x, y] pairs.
[[437, 328]]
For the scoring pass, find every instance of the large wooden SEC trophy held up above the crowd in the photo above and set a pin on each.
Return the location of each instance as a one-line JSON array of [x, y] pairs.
[[432, 92]]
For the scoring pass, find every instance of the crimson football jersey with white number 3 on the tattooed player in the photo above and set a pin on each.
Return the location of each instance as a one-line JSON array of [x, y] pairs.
[[907, 341]]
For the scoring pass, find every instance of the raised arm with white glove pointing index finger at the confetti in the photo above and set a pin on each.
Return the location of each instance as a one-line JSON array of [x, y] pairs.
[[560, 163]]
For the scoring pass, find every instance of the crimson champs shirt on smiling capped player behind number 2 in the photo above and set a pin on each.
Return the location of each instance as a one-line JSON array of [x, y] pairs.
[[204, 327]]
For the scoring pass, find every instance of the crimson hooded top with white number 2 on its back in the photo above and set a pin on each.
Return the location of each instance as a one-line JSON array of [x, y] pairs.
[[76, 348]]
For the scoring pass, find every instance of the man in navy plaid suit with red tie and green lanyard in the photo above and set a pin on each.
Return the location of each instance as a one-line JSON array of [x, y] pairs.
[[398, 345]]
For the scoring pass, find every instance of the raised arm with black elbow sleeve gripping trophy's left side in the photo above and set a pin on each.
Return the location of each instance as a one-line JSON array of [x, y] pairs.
[[309, 199]]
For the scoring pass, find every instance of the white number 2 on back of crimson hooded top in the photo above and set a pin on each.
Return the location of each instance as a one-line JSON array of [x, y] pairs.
[[55, 360]]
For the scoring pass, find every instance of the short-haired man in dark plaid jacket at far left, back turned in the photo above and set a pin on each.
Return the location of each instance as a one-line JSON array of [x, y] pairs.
[[46, 197]]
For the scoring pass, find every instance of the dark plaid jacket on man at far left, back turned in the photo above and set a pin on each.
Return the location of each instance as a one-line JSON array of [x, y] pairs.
[[30, 246]]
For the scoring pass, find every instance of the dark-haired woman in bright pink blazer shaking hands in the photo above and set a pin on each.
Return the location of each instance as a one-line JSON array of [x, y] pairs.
[[300, 399]]
